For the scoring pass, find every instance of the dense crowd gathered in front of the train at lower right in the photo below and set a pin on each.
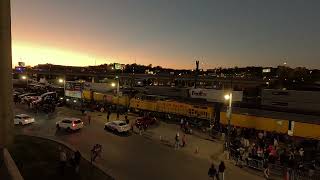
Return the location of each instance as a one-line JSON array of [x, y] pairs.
[[280, 150]]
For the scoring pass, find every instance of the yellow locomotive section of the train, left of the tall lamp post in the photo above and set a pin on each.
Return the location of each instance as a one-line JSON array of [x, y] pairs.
[[158, 105]]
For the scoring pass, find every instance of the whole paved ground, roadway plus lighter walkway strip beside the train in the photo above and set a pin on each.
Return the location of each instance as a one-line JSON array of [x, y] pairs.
[[136, 156]]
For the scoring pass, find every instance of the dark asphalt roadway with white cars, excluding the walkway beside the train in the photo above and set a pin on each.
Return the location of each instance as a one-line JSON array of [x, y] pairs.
[[124, 157]]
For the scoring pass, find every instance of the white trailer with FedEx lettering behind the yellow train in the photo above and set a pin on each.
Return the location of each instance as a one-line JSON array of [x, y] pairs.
[[213, 95]]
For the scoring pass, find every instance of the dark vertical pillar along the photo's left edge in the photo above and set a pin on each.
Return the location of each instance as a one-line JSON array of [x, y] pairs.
[[6, 123]]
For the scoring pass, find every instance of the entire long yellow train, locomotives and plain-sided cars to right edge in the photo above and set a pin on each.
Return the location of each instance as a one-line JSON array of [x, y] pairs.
[[205, 114]]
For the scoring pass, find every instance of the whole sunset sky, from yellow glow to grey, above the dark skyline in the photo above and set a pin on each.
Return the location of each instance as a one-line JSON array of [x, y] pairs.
[[170, 33]]
